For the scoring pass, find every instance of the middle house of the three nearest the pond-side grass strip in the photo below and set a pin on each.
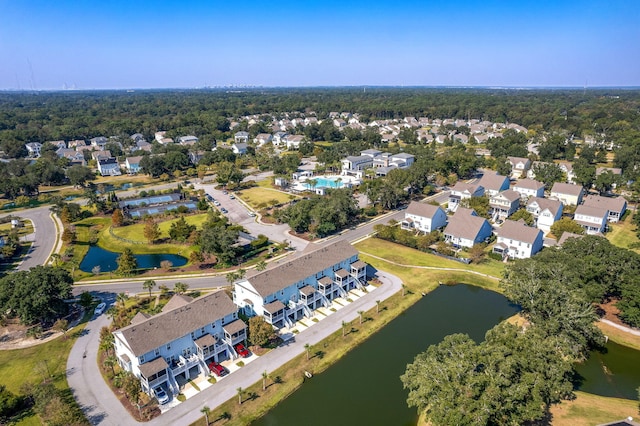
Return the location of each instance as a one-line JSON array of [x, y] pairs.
[[466, 228]]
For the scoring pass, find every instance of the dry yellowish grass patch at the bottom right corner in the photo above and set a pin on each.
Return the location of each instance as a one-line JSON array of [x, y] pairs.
[[588, 409]]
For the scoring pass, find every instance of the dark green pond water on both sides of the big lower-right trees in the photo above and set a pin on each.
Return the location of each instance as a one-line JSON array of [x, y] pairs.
[[364, 387]]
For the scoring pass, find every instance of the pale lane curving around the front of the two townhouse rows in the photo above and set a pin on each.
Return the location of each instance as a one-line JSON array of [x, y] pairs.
[[102, 407]]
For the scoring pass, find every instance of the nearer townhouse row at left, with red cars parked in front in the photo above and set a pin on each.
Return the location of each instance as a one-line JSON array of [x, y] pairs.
[[181, 340]]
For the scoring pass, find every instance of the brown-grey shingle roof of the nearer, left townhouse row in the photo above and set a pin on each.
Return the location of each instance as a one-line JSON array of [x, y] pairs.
[[169, 325]]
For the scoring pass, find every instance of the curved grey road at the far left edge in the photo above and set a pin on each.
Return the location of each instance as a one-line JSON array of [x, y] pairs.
[[44, 237]]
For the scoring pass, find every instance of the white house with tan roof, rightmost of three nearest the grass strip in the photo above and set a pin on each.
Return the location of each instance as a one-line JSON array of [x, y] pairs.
[[517, 240]]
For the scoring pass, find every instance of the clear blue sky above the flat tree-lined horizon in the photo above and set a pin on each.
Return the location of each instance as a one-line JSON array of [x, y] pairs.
[[166, 44]]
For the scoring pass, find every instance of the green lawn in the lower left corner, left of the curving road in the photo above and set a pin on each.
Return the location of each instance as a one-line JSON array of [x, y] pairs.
[[20, 366]]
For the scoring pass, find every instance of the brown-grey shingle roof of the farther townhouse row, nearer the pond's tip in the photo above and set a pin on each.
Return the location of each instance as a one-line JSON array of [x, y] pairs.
[[312, 261]]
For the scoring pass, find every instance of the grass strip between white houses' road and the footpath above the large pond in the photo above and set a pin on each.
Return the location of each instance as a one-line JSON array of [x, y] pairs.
[[408, 256]]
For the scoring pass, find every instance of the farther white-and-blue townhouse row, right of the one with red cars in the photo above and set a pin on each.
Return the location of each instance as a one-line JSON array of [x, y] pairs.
[[288, 292]]
